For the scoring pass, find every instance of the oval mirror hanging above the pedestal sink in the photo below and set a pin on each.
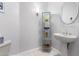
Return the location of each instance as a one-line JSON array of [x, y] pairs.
[[69, 12]]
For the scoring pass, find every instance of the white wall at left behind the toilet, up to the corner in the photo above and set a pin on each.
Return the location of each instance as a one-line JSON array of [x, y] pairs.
[[9, 25]]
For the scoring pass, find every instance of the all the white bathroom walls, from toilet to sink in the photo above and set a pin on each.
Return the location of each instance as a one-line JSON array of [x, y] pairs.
[[28, 36]]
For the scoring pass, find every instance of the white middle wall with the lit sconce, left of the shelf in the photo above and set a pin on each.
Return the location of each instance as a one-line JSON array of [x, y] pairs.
[[30, 24]]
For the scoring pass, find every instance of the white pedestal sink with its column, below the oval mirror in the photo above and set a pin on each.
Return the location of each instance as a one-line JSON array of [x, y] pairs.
[[64, 39]]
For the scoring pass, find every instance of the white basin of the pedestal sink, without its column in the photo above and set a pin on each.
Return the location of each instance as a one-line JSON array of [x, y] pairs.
[[65, 37]]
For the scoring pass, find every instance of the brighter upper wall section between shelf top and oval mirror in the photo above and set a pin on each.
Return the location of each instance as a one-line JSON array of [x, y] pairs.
[[55, 7]]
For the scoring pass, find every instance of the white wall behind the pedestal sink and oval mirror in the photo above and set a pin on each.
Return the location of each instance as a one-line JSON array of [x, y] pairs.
[[58, 26]]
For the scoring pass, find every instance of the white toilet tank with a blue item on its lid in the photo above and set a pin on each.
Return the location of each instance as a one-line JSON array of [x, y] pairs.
[[5, 48]]
